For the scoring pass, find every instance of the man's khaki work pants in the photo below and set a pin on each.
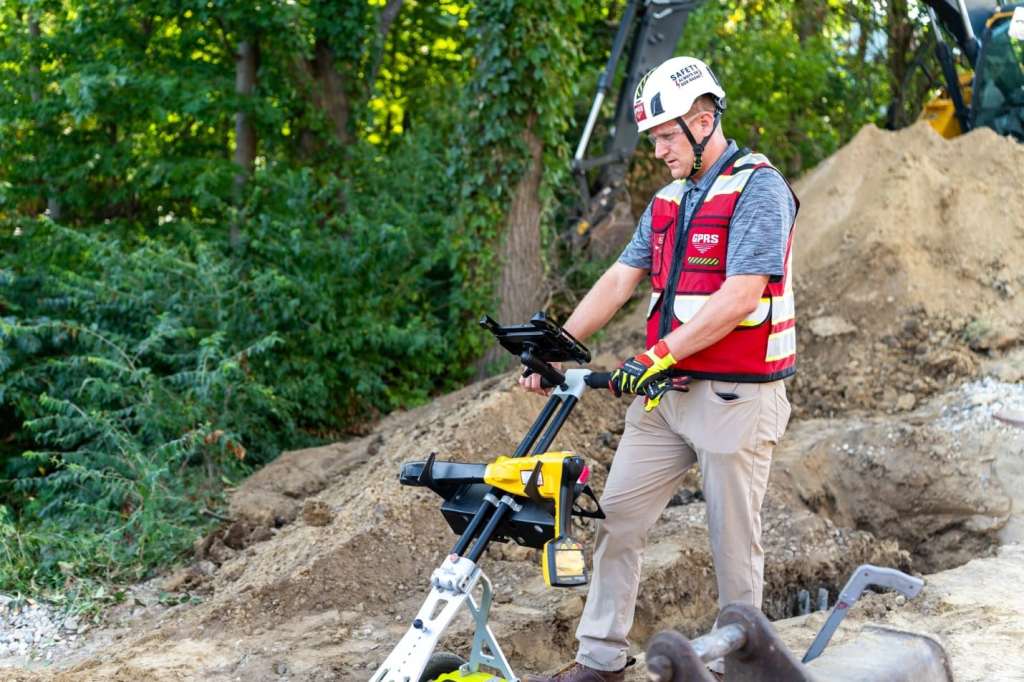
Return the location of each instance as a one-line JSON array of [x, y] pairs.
[[732, 439]]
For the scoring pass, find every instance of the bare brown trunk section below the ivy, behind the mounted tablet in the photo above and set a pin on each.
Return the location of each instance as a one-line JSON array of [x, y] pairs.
[[521, 285]]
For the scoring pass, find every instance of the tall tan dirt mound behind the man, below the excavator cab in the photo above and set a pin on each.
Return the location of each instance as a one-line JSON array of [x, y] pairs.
[[910, 264]]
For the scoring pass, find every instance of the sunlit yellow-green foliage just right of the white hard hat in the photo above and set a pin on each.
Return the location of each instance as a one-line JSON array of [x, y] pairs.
[[796, 98]]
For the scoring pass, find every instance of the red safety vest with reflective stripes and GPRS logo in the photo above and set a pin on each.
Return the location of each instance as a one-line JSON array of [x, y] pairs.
[[689, 266]]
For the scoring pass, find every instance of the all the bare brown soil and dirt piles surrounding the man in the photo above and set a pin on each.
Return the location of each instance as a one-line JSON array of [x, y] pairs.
[[910, 262]]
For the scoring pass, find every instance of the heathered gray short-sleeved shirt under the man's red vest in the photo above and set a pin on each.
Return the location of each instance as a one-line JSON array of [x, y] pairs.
[[758, 232]]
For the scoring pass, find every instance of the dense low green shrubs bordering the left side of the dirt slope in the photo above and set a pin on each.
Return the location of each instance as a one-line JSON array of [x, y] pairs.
[[142, 375]]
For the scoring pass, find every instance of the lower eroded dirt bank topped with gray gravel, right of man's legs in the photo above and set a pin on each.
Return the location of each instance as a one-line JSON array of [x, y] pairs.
[[944, 481]]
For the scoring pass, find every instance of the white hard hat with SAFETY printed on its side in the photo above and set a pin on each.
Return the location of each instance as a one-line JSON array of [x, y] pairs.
[[668, 92]]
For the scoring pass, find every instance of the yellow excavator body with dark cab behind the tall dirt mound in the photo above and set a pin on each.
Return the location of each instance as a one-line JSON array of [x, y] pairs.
[[990, 91]]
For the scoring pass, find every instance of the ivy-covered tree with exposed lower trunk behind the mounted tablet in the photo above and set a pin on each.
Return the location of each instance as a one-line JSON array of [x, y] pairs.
[[511, 154]]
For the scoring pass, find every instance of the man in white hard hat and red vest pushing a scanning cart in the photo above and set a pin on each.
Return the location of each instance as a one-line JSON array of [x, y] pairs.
[[716, 245]]
